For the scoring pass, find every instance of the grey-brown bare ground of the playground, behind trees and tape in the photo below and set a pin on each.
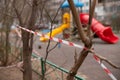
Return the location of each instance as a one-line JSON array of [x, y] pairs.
[[63, 56]]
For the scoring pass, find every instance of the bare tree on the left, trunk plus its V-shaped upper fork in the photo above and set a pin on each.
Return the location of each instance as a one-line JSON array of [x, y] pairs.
[[26, 12]]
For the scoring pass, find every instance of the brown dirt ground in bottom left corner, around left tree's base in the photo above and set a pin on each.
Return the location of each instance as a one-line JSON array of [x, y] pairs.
[[13, 73]]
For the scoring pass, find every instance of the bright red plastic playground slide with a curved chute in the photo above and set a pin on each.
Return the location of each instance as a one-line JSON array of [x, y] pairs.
[[105, 33]]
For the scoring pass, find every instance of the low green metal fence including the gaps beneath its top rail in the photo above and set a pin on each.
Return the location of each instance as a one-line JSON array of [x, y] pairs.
[[54, 72]]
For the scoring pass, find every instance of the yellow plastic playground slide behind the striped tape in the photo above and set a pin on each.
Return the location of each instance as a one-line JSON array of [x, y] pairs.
[[65, 24]]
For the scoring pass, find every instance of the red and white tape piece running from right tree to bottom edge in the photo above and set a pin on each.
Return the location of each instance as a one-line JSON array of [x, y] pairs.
[[105, 68]]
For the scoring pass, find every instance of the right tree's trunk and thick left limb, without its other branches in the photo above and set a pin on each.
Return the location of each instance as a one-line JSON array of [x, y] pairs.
[[86, 40]]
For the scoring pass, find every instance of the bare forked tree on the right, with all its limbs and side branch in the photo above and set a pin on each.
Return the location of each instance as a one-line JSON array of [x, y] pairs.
[[86, 39]]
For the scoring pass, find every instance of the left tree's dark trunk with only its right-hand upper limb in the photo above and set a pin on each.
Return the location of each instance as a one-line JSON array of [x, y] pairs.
[[28, 43]]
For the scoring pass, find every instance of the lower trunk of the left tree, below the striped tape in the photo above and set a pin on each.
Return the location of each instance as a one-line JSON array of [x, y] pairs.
[[27, 51]]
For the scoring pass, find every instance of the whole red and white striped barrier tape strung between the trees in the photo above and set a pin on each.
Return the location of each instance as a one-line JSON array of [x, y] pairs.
[[71, 44]]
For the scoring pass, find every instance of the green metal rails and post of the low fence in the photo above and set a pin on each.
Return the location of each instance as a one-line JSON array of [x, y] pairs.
[[42, 66]]
